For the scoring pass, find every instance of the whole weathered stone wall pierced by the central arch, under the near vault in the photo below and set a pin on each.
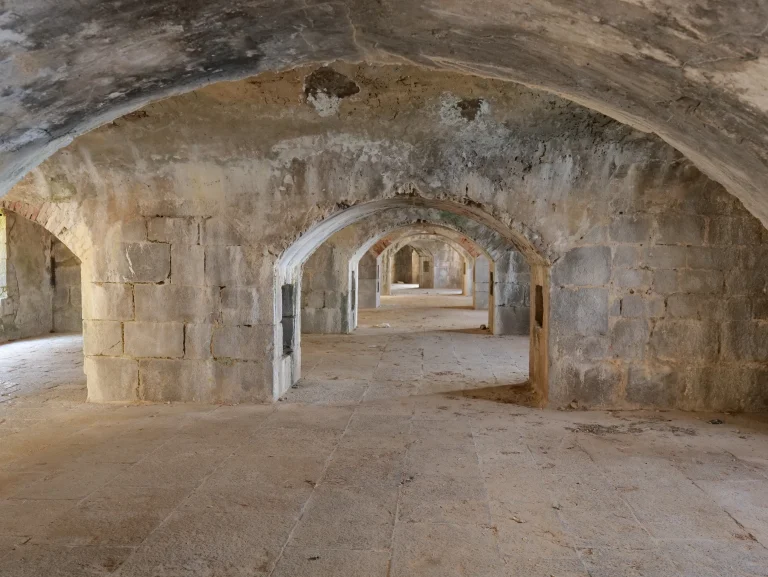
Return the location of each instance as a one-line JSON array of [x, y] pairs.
[[563, 184]]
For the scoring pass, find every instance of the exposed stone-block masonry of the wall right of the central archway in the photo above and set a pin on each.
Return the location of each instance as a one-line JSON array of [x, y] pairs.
[[668, 309]]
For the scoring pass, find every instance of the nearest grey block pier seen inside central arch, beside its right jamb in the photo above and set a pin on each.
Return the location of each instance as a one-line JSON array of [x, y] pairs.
[[511, 295]]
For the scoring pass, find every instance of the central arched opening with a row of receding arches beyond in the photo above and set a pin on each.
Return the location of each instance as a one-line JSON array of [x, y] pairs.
[[417, 337]]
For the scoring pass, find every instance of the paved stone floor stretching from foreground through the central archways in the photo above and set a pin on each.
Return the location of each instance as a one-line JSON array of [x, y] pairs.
[[375, 465]]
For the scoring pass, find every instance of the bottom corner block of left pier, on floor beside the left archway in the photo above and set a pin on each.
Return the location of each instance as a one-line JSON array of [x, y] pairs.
[[112, 379]]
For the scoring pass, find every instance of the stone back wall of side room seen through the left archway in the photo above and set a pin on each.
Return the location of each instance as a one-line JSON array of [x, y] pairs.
[[42, 282]]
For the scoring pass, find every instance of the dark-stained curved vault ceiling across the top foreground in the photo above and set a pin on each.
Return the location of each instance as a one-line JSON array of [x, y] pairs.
[[693, 72]]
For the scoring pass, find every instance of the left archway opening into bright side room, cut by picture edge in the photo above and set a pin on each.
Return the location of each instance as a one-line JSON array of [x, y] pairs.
[[41, 320]]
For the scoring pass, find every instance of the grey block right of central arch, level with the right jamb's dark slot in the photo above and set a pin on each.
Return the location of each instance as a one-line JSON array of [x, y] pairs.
[[582, 311]]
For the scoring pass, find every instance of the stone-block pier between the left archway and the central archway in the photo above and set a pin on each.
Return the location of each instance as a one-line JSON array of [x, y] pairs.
[[177, 310]]
